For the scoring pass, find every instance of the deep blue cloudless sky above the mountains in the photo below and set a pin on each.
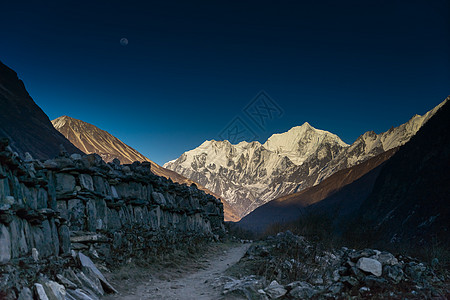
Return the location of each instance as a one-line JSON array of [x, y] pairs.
[[192, 66]]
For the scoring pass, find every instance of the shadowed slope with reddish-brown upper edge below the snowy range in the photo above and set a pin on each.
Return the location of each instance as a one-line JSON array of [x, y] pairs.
[[291, 207]]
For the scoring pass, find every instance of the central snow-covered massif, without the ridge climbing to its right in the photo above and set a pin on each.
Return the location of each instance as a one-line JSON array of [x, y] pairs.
[[250, 174]]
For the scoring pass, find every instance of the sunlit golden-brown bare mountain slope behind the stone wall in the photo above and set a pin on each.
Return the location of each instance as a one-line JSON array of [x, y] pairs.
[[91, 139]]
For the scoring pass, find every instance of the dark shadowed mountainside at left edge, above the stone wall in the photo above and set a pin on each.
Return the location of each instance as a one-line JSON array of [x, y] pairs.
[[24, 123]]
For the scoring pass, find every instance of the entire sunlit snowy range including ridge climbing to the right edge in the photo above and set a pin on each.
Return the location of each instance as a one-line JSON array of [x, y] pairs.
[[248, 175]]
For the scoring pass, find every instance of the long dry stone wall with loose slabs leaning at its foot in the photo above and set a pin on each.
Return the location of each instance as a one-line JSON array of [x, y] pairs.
[[52, 211]]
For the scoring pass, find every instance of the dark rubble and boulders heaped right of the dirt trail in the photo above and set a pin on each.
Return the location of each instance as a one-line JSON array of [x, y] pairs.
[[287, 266]]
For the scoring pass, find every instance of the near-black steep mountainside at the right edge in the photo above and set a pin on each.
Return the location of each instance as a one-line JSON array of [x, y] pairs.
[[411, 196]]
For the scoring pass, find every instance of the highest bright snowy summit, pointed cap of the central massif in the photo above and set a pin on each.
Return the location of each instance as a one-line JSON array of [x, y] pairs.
[[300, 142]]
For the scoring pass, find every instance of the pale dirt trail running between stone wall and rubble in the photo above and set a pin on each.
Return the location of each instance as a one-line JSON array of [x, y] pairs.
[[186, 284]]
